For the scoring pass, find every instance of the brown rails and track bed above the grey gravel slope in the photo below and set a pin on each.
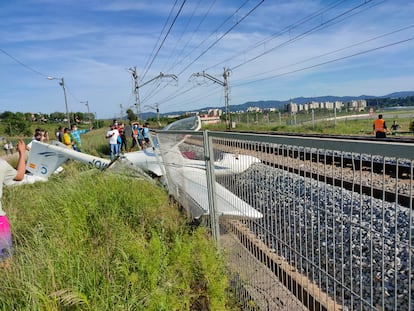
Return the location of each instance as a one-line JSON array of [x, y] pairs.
[[369, 168]]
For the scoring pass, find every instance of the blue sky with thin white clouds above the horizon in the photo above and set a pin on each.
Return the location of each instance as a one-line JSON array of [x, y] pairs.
[[271, 49]]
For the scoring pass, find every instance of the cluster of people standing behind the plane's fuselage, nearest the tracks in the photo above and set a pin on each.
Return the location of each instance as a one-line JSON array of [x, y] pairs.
[[117, 138]]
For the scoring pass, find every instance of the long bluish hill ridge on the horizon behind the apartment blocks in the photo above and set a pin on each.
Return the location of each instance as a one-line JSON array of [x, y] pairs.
[[298, 100]]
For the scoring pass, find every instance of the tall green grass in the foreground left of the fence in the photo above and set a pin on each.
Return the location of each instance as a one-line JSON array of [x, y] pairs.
[[91, 240]]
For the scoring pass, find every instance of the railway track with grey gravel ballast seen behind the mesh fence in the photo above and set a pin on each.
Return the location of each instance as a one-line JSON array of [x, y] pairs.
[[340, 231]]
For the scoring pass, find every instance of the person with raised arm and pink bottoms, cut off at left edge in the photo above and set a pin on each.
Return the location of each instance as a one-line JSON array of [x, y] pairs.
[[7, 177]]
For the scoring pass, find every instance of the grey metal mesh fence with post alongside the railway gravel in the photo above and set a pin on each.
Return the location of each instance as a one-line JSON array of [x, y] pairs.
[[304, 223]]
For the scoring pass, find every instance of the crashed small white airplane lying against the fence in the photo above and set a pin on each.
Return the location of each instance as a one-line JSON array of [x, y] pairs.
[[187, 175]]
